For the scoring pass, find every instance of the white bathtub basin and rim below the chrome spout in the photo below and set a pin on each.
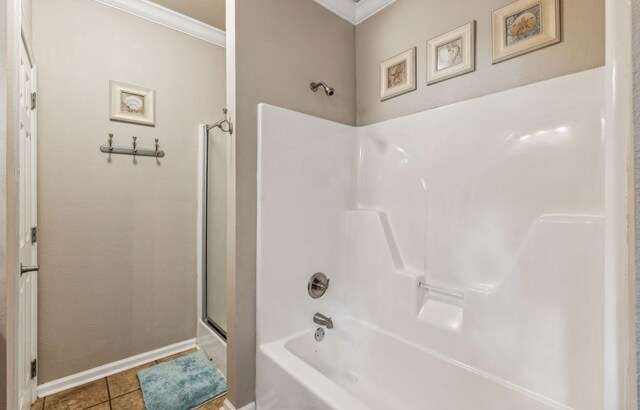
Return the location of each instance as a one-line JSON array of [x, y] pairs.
[[358, 366]]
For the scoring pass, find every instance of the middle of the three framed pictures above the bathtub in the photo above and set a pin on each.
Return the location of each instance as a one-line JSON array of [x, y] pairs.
[[451, 54]]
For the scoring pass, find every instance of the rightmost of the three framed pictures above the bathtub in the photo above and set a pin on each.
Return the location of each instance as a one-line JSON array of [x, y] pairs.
[[524, 26]]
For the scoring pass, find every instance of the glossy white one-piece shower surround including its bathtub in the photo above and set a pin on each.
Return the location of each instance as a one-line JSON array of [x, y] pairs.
[[465, 249]]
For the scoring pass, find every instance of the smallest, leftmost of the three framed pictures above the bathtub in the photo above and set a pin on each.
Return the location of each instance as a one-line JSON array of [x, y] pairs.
[[398, 75]]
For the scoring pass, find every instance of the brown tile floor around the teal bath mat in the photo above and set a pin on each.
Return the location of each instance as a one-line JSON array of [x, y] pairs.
[[118, 392]]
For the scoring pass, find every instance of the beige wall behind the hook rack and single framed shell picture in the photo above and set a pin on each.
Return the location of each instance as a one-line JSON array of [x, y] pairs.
[[117, 238]]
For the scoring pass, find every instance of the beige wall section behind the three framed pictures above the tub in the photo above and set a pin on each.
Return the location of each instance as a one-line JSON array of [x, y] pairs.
[[409, 23]]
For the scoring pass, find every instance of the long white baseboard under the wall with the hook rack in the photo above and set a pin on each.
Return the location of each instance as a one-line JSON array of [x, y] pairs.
[[96, 373]]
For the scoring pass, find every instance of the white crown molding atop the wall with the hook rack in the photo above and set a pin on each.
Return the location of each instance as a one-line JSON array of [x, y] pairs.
[[169, 18]]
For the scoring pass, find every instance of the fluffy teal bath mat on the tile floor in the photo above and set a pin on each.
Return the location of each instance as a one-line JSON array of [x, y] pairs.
[[182, 384]]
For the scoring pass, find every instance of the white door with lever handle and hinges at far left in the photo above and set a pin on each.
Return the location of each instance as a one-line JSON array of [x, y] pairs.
[[27, 208]]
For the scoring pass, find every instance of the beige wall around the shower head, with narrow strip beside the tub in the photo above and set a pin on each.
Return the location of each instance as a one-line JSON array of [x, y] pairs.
[[281, 46]]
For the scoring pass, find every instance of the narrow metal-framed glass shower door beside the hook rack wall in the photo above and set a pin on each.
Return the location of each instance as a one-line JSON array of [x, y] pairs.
[[215, 263]]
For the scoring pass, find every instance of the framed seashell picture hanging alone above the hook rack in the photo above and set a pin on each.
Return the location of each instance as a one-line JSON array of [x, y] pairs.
[[130, 103]]
